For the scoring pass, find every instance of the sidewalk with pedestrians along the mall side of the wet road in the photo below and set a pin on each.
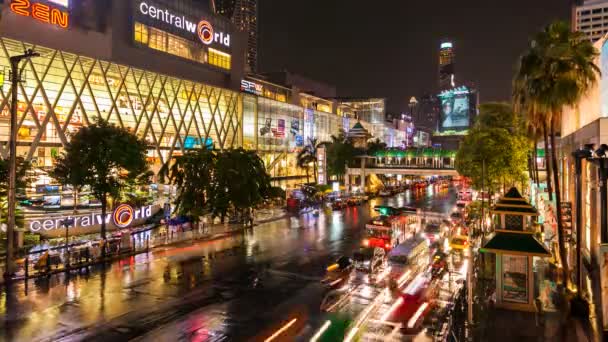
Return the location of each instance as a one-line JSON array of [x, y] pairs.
[[56, 260]]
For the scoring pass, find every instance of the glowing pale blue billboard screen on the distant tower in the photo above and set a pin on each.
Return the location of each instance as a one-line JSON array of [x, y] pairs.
[[455, 109]]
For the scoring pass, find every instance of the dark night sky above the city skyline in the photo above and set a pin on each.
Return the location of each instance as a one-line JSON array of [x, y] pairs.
[[389, 48]]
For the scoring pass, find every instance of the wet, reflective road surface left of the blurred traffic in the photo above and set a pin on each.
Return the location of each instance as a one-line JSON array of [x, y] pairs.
[[231, 289]]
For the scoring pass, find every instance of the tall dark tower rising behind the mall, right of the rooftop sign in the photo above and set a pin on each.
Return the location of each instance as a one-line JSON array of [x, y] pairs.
[[244, 14]]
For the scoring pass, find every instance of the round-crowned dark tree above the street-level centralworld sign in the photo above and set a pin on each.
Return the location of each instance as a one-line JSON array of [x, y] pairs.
[[104, 157]]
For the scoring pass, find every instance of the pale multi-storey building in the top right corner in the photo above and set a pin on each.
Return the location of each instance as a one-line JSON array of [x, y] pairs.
[[591, 18]]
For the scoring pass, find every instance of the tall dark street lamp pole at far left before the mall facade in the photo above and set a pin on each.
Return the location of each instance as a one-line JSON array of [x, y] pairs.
[[12, 174]]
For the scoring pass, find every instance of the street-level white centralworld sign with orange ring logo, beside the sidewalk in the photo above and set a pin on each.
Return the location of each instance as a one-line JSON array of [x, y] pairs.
[[122, 217]]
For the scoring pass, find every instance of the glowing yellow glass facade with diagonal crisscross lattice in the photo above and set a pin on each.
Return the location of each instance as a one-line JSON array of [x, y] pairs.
[[62, 92]]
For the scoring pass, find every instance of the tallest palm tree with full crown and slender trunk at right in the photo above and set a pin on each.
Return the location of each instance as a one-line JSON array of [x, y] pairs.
[[556, 71]]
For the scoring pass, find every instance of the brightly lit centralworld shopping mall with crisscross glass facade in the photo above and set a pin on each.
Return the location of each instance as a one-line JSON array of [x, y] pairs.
[[169, 71]]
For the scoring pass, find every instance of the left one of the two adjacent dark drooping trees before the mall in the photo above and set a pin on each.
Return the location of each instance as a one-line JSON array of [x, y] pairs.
[[192, 173]]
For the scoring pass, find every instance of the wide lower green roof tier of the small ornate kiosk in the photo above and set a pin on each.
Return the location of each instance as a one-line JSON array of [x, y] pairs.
[[522, 243]]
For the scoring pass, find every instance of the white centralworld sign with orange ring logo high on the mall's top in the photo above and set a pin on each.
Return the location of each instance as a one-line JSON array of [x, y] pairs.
[[203, 29]]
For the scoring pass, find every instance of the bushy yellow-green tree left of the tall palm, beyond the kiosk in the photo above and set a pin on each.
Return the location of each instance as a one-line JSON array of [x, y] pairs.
[[504, 149]]
